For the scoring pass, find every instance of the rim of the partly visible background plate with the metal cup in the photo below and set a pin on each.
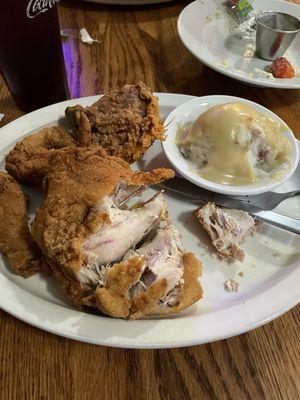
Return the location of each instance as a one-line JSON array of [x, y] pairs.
[[224, 71]]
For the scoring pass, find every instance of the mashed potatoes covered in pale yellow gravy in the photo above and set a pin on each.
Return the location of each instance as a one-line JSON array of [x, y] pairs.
[[234, 144]]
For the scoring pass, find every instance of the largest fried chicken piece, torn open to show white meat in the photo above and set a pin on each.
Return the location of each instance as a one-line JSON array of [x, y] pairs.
[[127, 262]]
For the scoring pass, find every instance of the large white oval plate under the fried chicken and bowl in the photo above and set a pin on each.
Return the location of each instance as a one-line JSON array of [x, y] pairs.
[[270, 285]]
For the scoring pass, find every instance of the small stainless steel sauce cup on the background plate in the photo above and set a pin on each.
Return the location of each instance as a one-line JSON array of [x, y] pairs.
[[274, 33]]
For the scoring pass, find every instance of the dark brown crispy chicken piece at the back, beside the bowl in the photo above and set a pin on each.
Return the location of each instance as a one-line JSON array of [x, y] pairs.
[[125, 122]]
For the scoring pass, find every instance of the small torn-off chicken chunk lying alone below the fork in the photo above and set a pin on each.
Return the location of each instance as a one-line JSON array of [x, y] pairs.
[[227, 229]]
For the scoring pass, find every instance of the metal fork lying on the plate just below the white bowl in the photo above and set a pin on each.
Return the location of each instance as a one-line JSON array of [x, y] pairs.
[[265, 201]]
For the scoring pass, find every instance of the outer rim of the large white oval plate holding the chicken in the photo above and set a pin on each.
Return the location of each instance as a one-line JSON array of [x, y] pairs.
[[7, 294]]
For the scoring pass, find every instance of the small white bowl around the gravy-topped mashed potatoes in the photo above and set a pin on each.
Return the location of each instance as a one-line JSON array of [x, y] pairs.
[[189, 112]]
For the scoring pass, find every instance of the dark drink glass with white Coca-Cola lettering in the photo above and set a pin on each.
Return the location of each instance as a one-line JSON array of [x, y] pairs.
[[31, 56]]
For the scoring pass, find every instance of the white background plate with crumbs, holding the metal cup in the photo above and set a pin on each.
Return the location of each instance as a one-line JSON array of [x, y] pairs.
[[204, 32]]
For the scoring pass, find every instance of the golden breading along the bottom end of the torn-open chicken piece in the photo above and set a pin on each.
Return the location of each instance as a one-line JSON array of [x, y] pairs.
[[115, 300]]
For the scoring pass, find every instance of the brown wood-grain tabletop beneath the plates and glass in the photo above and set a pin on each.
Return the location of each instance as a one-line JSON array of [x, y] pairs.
[[141, 43]]
